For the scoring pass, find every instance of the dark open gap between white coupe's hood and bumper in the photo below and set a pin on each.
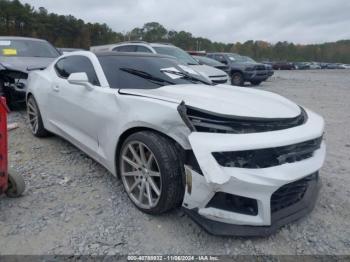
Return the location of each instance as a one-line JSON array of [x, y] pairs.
[[202, 121]]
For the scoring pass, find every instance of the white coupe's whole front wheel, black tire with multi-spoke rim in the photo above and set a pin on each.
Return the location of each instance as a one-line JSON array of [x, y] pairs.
[[164, 170]]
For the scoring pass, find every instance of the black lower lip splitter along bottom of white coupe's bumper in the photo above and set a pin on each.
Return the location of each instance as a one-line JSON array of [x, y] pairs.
[[279, 218]]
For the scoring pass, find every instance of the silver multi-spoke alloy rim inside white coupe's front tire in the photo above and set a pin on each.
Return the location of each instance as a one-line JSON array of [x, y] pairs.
[[140, 174]]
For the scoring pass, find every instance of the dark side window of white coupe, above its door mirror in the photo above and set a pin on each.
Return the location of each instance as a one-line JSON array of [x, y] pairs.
[[76, 64]]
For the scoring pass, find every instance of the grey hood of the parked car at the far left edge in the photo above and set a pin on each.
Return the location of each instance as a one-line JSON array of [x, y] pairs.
[[22, 63]]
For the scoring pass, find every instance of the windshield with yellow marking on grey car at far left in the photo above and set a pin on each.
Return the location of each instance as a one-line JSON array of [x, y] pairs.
[[27, 48]]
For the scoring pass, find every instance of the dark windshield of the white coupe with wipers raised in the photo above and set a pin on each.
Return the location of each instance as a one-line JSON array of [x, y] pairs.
[[147, 72]]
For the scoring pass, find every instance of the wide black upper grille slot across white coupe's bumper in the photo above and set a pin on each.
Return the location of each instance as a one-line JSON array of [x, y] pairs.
[[268, 157]]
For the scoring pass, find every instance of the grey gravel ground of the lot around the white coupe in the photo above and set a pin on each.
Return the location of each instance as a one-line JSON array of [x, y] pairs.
[[73, 206]]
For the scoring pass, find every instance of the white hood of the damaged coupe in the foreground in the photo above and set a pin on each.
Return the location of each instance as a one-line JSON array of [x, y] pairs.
[[224, 99]]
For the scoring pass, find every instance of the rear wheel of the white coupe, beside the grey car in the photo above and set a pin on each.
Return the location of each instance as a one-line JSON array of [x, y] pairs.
[[34, 118]]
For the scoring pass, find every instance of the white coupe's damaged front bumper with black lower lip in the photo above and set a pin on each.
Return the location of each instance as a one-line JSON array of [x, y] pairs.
[[254, 200]]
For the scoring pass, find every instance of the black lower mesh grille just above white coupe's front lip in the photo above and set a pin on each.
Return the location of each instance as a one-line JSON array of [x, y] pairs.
[[291, 194]]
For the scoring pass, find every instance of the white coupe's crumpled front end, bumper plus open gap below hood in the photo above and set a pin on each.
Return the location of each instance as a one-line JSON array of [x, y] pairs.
[[251, 175]]
